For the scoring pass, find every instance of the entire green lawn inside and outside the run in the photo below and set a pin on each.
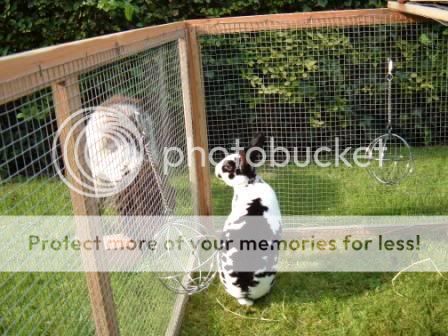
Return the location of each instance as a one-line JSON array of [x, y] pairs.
[[300, 303]]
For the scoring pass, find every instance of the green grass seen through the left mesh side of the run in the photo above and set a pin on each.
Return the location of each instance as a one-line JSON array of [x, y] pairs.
[[58, 303]]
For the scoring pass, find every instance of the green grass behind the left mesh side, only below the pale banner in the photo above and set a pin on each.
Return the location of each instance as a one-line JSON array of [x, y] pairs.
[[58, 304]]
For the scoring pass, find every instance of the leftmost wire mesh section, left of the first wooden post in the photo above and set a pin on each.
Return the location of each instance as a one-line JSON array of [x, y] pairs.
[[36, 303]]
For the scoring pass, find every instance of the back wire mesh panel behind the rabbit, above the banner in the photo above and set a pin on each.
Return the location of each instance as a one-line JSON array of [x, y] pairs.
[[319, 85]]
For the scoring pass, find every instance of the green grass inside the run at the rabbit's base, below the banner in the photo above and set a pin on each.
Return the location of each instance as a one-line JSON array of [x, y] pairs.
[[328, 304]]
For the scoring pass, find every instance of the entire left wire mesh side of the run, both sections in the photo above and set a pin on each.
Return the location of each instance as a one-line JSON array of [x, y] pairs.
[[58, 303]]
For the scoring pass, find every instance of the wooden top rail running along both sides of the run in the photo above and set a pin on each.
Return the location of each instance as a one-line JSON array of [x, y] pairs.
[[35, 61]]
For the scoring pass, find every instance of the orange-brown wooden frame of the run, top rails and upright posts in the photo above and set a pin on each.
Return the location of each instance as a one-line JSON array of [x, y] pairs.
[[59, 66]]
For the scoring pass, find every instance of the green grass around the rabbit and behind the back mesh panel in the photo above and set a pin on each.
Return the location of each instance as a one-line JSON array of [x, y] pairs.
[[338, 303]]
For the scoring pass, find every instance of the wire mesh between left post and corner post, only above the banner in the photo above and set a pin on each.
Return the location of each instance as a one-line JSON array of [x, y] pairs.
[[152, 81]]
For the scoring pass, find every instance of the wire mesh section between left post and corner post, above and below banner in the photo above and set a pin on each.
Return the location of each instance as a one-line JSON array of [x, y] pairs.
[[152, 79]]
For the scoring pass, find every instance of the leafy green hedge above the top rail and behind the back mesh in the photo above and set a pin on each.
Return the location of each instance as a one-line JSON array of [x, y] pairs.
[[292, 70]]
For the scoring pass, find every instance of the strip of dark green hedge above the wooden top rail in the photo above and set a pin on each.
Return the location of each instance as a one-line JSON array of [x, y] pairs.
[[31, 24]]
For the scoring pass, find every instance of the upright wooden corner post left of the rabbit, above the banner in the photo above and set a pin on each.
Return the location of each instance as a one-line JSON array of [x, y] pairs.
[[195, 120]]
